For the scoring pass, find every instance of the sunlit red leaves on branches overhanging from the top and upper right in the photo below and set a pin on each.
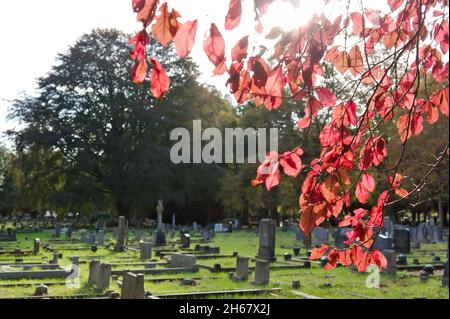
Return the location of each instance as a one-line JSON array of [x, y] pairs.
[[350, 144]]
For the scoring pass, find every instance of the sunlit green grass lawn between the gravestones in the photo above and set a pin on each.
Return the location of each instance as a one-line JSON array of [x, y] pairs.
[[339, 283]]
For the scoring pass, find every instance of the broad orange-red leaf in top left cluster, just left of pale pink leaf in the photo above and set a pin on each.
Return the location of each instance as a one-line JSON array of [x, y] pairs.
[[166, 26]]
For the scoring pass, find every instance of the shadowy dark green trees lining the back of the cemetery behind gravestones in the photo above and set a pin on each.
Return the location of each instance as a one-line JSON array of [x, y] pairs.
[[91, 141]]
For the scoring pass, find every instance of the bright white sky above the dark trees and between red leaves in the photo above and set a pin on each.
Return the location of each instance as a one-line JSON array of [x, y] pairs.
[[33, 32]]
